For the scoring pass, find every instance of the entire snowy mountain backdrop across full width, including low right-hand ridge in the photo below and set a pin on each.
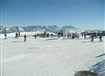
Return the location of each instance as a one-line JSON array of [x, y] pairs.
[[38, 28]]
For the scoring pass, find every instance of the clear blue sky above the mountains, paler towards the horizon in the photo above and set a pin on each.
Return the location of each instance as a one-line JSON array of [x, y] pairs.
[[85, 14]]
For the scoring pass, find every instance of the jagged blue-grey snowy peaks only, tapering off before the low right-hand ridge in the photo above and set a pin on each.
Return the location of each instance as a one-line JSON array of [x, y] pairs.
[[52, 28]]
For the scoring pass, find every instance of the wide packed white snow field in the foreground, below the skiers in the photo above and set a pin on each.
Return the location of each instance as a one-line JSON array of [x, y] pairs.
[[50, 56]]
